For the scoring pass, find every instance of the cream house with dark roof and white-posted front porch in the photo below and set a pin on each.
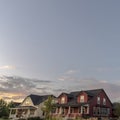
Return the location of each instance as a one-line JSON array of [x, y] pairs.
[[30, 107]]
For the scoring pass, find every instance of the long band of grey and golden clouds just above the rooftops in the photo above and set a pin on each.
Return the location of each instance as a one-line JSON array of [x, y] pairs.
[[17, 88]]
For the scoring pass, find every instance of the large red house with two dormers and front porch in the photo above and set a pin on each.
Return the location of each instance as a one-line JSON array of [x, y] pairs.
[[89, 103]]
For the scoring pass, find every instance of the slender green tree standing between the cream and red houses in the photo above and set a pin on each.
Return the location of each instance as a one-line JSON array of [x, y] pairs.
[[48, 107]]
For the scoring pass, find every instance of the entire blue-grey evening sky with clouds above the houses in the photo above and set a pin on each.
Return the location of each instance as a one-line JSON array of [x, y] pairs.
[[54, 46]]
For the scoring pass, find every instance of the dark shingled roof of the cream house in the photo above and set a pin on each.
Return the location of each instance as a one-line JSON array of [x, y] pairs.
[[37, 99]]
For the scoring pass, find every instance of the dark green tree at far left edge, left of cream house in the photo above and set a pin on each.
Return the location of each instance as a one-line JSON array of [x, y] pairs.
[[4, 110]]
